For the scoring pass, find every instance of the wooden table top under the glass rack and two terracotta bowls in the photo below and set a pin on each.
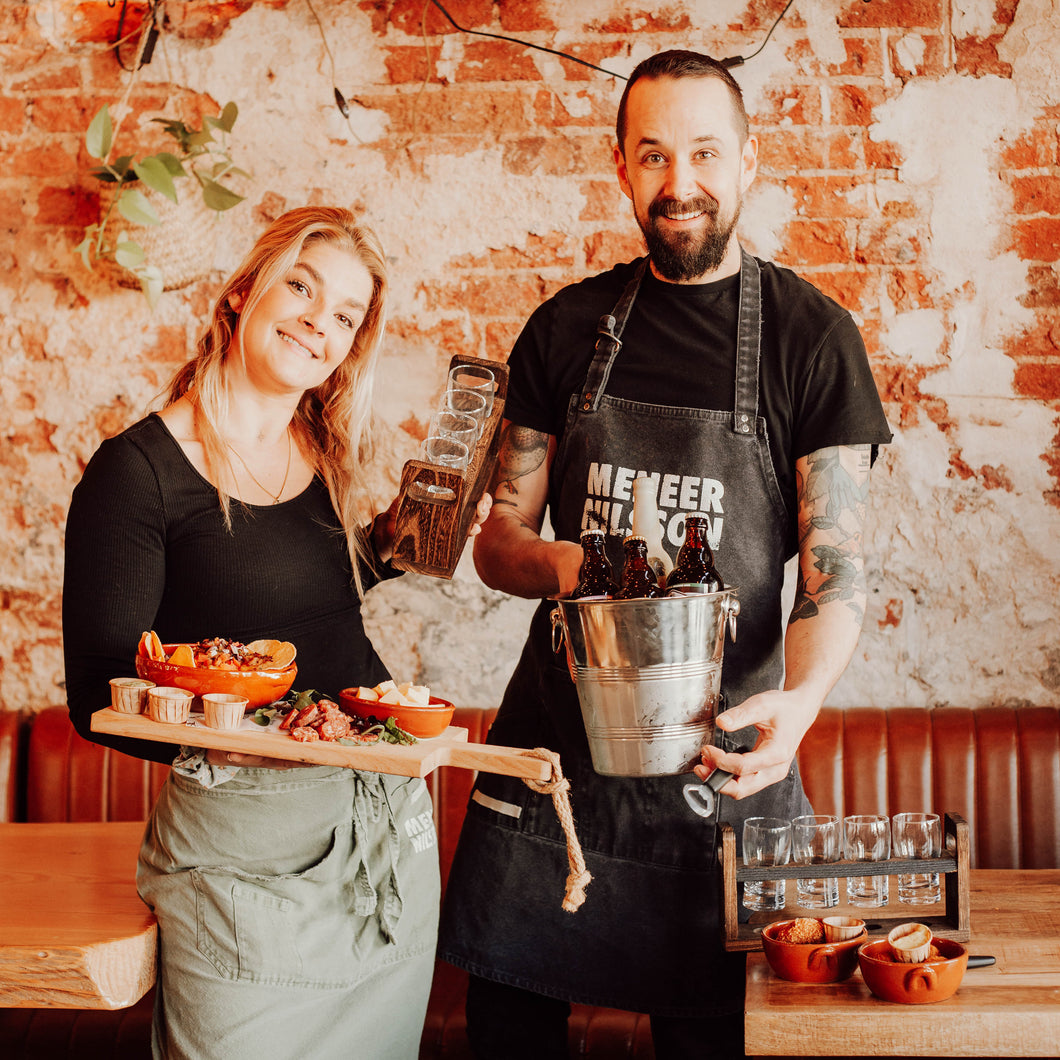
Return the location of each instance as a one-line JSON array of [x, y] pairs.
[[1011, 1009]]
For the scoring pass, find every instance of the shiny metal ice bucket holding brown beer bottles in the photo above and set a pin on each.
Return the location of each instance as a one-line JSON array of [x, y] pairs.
[[648, 675]]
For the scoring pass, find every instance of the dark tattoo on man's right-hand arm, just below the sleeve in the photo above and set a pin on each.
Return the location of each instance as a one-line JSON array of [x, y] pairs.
[[834, 501]]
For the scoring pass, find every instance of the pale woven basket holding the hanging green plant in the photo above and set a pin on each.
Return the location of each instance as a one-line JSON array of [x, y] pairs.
[[182, 248]]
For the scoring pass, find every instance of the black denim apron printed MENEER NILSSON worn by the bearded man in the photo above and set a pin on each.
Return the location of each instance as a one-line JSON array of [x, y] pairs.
[[648, 938]]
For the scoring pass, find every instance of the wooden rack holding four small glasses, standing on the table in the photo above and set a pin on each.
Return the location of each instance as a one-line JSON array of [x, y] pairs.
[[951, 920]]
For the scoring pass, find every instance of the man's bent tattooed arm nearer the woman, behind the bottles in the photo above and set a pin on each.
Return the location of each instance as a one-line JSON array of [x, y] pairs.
[[510, 554]]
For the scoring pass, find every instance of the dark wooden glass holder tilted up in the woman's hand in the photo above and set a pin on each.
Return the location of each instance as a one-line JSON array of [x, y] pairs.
[[431, 535]]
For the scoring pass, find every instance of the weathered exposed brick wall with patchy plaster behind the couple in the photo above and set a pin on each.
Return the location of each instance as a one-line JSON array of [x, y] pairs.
[[909, 166]]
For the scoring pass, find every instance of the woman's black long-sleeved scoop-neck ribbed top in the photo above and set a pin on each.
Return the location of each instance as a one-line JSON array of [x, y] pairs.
[[147, 550]]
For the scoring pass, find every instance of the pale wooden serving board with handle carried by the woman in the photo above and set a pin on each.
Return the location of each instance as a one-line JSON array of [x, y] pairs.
[[405, 761]]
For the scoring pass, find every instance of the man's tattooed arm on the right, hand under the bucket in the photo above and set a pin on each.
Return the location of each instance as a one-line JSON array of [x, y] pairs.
[[824, 625]]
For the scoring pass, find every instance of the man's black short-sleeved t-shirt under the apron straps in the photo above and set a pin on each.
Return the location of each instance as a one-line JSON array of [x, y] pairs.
[[679, 349]]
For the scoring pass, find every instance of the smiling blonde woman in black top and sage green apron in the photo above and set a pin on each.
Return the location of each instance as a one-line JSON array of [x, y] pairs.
[[296, 917]]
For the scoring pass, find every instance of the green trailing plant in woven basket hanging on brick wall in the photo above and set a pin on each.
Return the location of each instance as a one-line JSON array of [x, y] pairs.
[[171, 198]]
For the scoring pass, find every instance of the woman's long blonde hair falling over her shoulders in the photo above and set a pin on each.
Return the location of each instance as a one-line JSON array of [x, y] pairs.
[[332, 423]]
